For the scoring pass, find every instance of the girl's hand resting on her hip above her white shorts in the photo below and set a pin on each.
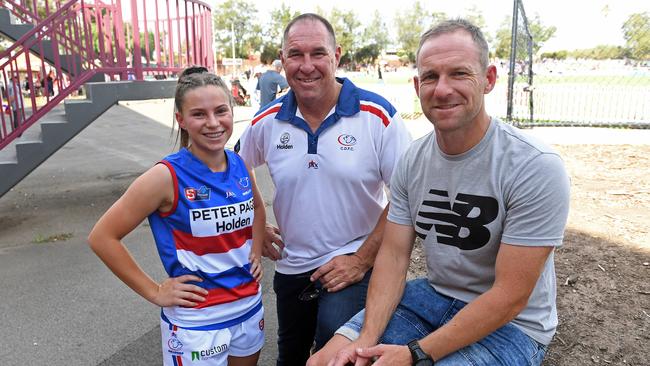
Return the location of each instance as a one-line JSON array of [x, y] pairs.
[[176, 292]]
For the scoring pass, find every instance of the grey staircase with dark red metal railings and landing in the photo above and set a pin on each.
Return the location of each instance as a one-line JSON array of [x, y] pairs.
[[112, 50]]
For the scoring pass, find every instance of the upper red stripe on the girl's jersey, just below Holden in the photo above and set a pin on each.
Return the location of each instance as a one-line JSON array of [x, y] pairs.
[[212, 244]]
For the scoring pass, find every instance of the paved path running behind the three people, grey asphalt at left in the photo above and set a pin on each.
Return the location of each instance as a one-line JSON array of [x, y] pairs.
[[59, 303]]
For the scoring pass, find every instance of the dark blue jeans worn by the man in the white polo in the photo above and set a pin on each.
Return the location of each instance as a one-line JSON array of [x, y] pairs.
[[303, 322]]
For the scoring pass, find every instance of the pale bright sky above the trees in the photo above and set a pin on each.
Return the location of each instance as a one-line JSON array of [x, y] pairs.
[[580, 23]]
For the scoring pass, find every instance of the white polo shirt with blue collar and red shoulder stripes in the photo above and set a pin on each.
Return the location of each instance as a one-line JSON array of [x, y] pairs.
[[329, 184]]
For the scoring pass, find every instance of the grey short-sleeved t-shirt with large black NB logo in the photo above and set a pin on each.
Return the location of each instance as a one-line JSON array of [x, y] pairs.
[[509, 188]]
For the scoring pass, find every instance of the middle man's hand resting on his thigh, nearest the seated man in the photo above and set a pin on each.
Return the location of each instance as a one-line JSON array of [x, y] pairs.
[[340, 272]]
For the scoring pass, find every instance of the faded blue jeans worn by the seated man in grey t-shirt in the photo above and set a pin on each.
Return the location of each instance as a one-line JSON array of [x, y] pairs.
[[422, 310]]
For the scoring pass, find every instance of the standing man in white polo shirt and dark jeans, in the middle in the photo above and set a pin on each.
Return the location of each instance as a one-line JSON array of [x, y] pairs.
[[331, 149]]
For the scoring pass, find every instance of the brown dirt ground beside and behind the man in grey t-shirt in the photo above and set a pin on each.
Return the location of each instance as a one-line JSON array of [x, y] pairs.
[[603, 268]]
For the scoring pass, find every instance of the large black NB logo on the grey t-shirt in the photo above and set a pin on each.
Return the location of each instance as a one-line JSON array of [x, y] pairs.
[[460, 223]]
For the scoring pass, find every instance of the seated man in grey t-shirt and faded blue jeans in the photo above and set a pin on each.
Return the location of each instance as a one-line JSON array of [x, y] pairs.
[[489, 203]]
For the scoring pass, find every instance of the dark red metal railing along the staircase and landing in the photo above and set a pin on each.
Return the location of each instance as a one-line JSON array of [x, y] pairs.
[[95, 37]]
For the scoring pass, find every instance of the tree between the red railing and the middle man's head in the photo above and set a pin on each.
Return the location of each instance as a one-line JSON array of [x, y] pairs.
[[241, 15]]
